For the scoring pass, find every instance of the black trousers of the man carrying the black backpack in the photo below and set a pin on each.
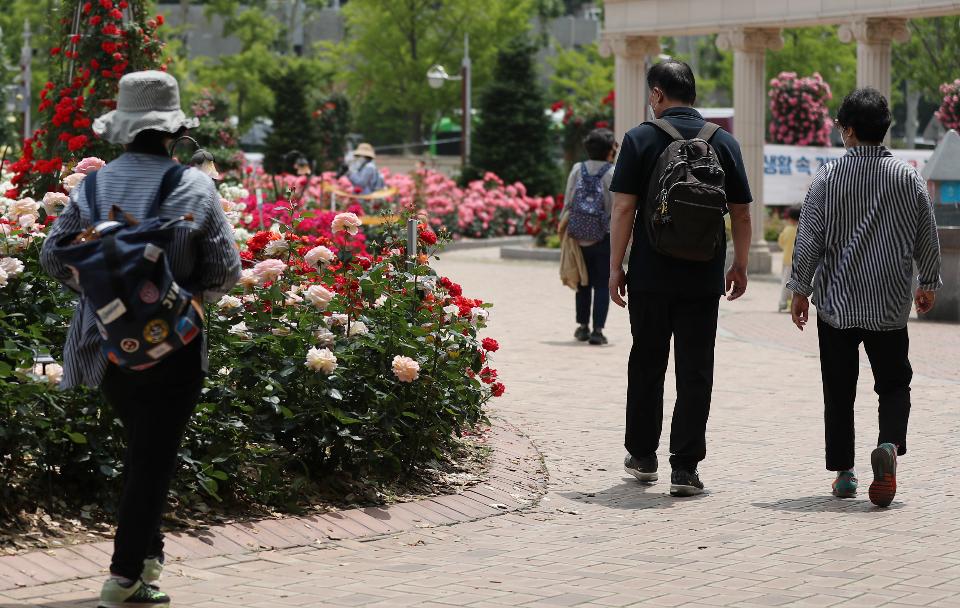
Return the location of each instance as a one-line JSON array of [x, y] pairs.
[[692, 323]]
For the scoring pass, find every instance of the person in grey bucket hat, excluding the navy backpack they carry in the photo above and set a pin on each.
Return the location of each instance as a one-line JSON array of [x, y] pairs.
[[155, 404]]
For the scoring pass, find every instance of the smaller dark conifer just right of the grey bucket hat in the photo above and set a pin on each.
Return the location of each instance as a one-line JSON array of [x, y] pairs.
[[294, 127]]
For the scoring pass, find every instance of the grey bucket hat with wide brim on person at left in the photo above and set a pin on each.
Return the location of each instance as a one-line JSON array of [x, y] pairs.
[[147, 100]]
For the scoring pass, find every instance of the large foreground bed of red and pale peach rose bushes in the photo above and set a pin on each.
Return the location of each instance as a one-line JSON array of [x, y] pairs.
[[329, 362]]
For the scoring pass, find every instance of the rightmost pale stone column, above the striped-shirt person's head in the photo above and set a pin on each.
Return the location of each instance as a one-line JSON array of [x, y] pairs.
[[874, 38]]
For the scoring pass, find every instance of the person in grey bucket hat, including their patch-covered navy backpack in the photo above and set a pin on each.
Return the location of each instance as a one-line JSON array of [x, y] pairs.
[[142, 235]]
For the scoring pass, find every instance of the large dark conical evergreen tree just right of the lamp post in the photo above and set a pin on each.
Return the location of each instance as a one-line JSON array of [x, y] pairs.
[[513, 140]]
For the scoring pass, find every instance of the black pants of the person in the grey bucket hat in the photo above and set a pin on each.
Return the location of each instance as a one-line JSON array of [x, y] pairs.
[[154, 406]]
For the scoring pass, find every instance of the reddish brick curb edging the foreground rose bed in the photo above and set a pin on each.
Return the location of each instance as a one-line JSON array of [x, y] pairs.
[[517, 479]]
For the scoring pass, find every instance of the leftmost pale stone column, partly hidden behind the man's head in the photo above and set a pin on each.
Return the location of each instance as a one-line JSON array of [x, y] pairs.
[[631, 57]]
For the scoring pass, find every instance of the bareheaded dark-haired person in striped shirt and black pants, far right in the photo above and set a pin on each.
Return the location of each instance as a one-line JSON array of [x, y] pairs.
[[866, 221]]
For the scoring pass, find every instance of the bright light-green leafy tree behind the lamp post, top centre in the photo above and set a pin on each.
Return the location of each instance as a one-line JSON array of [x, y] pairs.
[[392, 43]]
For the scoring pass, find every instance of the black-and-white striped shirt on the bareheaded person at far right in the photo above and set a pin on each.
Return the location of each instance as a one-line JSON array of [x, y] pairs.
[[866, 221]]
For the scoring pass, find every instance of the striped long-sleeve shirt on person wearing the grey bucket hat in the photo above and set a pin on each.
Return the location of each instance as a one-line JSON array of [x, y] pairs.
[[203, 256]]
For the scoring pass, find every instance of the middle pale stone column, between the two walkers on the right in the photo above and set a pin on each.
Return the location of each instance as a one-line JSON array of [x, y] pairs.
[[749, 121]]
